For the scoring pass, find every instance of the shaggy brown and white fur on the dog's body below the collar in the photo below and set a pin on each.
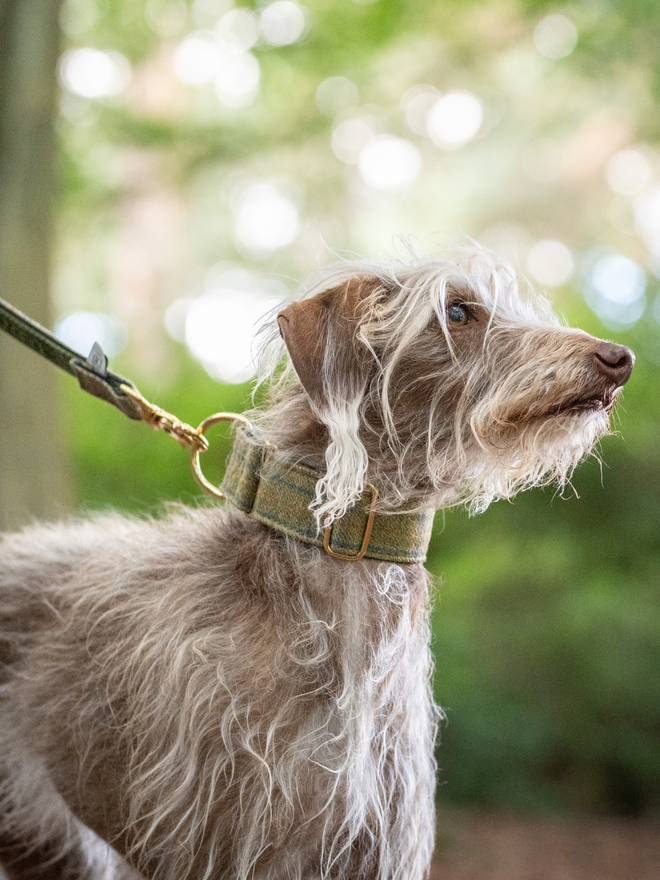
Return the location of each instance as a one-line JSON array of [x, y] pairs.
[[347, 730]]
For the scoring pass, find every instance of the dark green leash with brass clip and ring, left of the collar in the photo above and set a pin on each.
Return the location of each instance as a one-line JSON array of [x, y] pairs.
[[95, 378]]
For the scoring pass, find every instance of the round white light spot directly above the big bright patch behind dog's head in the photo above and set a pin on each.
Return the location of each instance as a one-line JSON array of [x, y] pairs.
[[266, 218]]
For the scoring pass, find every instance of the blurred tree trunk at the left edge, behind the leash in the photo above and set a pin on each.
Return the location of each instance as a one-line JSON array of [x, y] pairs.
[[32, 474]]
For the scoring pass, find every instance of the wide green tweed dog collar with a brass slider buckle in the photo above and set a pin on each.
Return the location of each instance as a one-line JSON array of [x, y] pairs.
[[279, 494]]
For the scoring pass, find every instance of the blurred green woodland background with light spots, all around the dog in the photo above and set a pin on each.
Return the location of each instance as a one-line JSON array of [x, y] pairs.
[[171, 169]]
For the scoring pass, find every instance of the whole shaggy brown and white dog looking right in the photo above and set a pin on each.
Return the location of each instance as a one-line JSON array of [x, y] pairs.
[[218, 696]]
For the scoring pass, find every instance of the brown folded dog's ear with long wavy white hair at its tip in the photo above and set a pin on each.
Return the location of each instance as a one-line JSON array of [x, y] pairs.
[[333, 365]]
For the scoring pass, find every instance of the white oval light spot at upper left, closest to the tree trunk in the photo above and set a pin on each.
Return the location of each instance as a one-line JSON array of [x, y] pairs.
[[92, 73]]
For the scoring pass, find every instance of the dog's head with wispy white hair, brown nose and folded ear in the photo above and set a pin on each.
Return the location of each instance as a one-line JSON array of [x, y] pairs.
[[438, 379]]
